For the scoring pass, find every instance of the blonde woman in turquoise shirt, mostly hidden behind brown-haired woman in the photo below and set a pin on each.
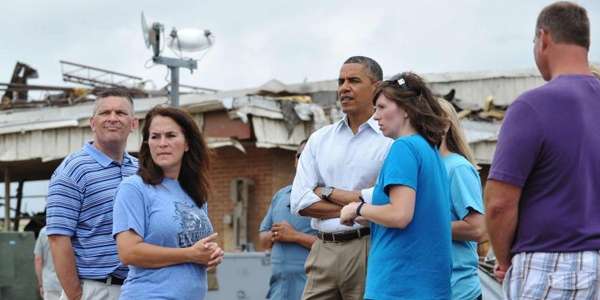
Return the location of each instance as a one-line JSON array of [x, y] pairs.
[[468, 226]]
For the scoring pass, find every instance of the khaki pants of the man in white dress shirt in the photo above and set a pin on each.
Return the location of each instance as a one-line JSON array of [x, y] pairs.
[[337, 270]]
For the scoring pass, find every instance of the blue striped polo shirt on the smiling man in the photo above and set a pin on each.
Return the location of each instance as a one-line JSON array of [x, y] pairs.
[[80, 205]]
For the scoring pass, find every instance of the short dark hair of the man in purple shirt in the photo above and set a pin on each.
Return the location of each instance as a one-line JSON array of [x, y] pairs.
[[566, 22]]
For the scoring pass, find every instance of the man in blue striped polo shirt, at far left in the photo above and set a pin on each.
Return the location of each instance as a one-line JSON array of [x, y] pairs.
[[80, 203]]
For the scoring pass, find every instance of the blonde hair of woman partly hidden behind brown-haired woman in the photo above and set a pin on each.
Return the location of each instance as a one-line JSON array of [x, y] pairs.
[[455, 137]]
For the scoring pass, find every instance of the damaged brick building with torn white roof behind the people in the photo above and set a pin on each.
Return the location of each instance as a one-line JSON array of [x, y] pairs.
[[253, 133]]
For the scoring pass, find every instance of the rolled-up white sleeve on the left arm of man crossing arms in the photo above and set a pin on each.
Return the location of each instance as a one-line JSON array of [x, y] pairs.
[[305, 181]]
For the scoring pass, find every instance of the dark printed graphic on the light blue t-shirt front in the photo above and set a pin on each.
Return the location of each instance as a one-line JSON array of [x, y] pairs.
[[194, 224]]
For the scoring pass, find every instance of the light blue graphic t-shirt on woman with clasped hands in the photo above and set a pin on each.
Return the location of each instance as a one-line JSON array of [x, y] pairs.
[[164, 215]]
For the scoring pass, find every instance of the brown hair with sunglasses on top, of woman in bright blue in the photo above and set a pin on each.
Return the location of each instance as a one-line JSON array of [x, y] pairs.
[[409, 91]]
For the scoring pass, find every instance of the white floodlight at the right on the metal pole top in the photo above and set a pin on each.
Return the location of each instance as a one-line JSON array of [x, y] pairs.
[[190, 39]]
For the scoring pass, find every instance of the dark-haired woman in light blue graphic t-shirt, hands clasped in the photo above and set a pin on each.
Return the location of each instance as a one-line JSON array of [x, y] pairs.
[[160, 220]]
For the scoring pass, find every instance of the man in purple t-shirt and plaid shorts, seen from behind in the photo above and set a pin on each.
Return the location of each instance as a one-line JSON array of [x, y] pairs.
[[543, 193]]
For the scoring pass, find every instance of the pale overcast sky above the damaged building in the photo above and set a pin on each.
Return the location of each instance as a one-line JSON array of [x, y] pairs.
[[288, 40]]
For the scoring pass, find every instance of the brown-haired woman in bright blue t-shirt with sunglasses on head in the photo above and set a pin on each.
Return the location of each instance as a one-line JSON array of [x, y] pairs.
[[410, 254]]
